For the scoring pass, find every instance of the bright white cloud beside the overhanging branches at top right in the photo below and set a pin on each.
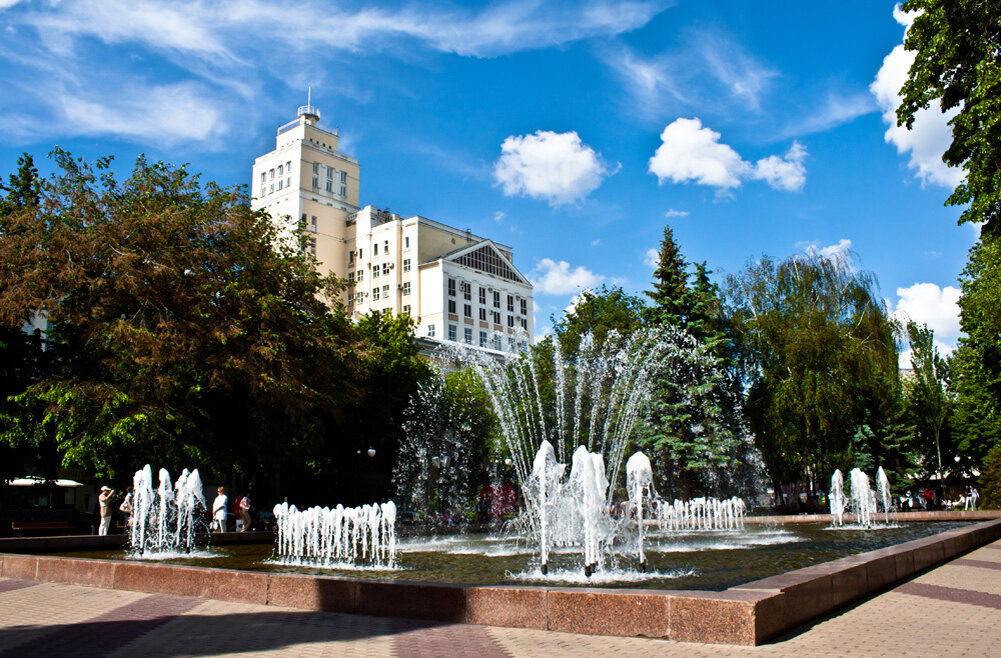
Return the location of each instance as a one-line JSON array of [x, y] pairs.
[[930, 136]]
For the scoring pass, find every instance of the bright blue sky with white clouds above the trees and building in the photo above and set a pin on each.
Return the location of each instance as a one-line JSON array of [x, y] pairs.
[[572, 132]]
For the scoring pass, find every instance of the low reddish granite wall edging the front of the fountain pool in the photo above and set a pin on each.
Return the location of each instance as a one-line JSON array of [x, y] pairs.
[[749, 614]]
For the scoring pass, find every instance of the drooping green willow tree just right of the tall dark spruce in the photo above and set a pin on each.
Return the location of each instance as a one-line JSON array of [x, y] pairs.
[[823, 364]]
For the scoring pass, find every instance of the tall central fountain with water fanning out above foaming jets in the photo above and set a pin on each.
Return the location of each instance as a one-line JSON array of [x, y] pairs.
[[583, 412]]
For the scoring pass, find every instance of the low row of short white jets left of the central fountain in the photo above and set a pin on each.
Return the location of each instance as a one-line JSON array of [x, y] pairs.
[[339, 537]]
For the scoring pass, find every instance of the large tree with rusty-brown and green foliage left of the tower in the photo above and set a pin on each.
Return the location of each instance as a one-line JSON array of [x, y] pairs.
[[186, 331]]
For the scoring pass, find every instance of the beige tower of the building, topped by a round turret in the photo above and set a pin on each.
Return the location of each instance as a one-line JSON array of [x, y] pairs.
[[306, 183]]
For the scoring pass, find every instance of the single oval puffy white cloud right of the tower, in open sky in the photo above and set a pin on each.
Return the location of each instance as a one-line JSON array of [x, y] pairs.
[[553, 167]]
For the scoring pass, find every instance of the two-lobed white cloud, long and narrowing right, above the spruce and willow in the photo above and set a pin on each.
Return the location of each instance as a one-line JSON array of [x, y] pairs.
[[690, 153]]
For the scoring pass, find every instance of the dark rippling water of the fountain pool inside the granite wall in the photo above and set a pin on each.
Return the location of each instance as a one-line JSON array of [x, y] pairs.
[[697, 560]]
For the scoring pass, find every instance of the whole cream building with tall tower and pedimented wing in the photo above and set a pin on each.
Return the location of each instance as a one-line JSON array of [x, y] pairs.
[[457, 286]]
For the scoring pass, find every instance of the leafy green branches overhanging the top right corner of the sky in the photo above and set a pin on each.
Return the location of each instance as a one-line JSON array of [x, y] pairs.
[[956, 46]]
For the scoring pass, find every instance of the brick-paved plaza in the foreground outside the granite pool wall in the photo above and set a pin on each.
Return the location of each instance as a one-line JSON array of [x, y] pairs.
[[953, 610]]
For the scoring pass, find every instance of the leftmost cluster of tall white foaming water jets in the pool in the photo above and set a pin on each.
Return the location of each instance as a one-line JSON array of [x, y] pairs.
[[167, 520]]
